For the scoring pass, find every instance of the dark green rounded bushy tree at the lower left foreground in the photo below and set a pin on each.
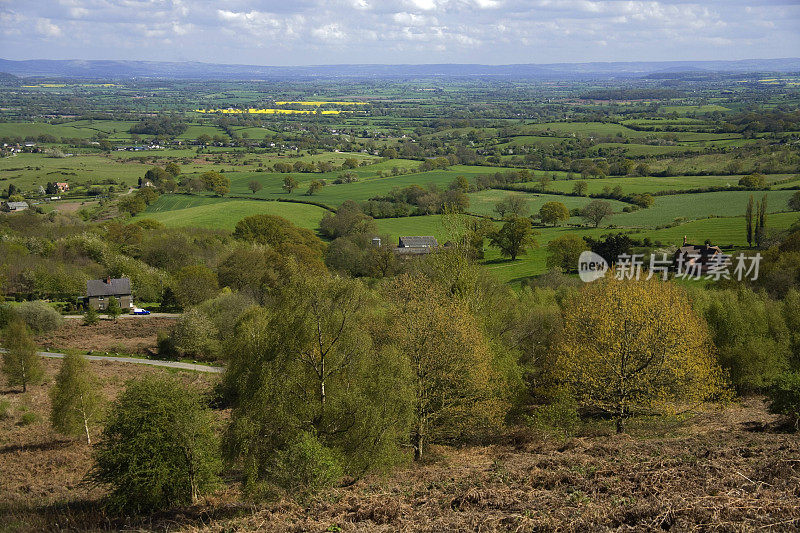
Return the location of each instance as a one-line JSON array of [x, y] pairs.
[[158, 448]]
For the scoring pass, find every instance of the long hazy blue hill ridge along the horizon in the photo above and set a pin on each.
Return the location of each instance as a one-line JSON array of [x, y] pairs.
[[196, 70]]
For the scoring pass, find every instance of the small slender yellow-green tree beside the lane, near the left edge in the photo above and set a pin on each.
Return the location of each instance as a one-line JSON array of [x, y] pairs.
[[75, 400]]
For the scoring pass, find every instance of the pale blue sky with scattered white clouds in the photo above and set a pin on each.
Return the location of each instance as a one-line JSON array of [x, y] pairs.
[[316, 32]]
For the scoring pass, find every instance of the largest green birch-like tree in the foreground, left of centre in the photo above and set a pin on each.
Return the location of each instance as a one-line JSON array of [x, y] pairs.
[[308, 382]]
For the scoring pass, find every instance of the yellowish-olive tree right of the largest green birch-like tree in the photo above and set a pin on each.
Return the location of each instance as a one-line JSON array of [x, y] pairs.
[[457, 389]]
